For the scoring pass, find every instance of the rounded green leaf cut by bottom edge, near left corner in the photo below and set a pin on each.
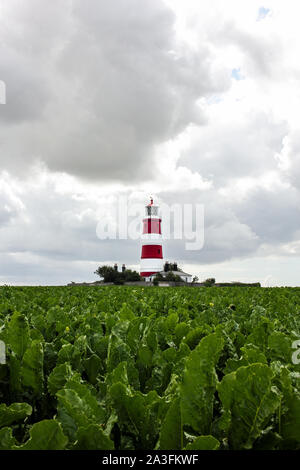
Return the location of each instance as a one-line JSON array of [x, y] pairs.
[[45, 435]]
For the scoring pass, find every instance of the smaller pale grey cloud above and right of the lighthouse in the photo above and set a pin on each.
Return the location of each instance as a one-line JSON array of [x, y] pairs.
[[227, 151]]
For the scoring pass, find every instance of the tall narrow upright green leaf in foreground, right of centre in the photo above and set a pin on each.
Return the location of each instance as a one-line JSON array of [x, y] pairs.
[[199, 384]]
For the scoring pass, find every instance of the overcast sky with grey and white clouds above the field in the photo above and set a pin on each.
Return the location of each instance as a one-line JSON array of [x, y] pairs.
[[190, 102]]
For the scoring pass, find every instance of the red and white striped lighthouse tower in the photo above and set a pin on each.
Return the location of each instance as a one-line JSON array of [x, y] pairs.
[[152, 255]]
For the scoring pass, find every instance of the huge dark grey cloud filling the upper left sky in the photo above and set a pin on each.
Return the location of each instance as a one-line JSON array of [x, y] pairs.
[[108, 83]]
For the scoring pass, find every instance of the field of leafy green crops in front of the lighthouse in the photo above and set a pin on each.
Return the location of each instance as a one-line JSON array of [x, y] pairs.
[[118, 367]]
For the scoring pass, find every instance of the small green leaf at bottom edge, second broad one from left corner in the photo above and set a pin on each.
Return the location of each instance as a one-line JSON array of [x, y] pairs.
[[93, 438]]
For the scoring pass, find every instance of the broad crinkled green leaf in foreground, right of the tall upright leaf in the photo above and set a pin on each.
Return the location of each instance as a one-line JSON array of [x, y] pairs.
[[251, 400]]
